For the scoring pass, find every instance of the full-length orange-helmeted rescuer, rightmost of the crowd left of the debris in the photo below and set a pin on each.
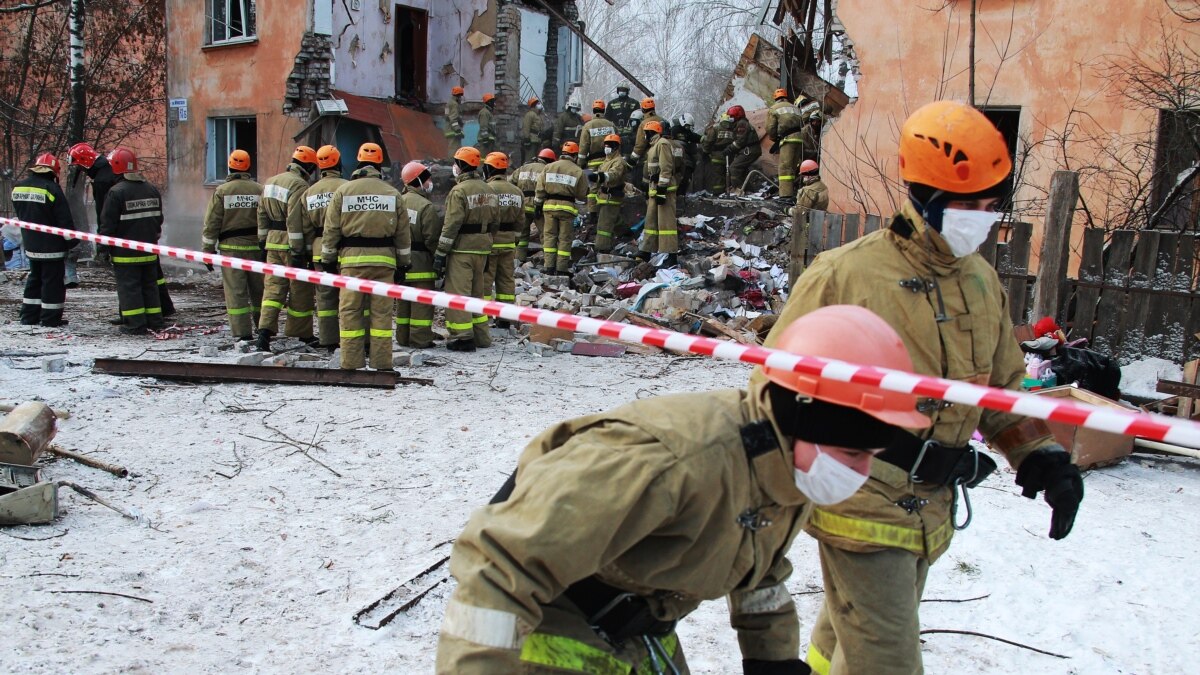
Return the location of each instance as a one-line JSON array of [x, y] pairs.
[[661, 235]]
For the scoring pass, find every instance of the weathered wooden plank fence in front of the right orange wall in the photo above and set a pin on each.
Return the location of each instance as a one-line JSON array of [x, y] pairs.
[[1137, 294]]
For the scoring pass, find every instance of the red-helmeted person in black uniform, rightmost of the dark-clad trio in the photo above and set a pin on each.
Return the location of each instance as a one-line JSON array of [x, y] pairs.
[[133, 211]]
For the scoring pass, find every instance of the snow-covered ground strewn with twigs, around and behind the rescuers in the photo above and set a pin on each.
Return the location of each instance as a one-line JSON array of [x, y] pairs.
[[262, 571]]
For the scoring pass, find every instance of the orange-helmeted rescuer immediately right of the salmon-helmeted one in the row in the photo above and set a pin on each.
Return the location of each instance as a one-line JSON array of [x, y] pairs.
[[464, 248]]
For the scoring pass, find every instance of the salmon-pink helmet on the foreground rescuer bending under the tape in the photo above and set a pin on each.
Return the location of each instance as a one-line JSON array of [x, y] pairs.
[[860, 337]]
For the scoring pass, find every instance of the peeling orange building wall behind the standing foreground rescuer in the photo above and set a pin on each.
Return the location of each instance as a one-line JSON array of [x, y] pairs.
[[911, 56]]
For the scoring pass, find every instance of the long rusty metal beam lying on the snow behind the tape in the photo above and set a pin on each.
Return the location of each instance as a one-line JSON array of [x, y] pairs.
[[232, 373]]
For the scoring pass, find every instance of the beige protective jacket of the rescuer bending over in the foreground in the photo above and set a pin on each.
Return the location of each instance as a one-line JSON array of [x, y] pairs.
[[652, 499]]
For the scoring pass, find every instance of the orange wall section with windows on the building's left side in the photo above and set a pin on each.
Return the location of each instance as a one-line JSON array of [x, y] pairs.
[[244, 80]]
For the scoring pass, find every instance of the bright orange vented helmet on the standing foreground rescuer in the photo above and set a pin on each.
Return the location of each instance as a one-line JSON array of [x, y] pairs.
[[953, 147]]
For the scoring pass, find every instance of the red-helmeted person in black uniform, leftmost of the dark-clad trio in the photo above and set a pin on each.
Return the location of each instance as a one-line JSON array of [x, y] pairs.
[[39, 199]]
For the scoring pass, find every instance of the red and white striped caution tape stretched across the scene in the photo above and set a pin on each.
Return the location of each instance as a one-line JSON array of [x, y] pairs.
[[1147, 426]]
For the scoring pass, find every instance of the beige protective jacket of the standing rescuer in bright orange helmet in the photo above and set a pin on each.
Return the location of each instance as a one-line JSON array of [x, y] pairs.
[[975, 344]]
